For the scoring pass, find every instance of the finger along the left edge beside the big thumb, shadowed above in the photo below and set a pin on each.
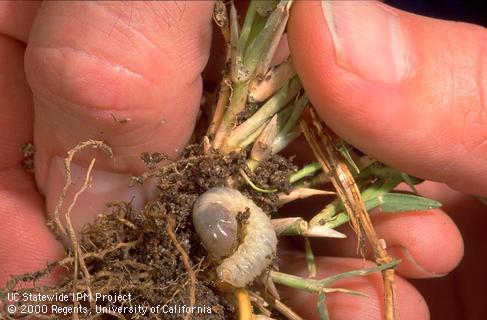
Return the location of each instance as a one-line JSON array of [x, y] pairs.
[[26, 244]]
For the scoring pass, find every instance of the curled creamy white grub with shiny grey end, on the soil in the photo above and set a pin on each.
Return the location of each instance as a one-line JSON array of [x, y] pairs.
[[214, 218]]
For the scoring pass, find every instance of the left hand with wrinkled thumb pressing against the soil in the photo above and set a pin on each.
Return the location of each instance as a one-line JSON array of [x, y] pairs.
[[88, 65]]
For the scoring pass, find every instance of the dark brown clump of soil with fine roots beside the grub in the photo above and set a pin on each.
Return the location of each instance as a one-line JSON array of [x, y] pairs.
[[152, 254]]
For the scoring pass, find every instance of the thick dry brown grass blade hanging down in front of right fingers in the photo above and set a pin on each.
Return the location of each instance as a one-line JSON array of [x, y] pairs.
[[321, 142]]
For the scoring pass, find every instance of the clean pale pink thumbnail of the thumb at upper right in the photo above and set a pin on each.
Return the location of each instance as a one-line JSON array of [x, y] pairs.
[[368, 39]]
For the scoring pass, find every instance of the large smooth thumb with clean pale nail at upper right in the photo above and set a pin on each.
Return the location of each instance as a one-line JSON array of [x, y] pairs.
[[407, 89]]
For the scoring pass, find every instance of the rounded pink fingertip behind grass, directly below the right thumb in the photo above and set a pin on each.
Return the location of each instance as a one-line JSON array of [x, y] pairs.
[[414, 237]]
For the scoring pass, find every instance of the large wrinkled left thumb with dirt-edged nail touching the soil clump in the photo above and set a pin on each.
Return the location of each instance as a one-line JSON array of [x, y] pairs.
[[127, 73]]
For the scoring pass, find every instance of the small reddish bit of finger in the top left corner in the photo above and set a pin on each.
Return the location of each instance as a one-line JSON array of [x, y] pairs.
[[16, 18]]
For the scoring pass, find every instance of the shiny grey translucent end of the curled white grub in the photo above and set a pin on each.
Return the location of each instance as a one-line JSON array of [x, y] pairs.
[[216, 226]]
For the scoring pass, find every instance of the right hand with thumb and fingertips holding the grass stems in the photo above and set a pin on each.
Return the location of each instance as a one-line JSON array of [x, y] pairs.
[[409, 91]]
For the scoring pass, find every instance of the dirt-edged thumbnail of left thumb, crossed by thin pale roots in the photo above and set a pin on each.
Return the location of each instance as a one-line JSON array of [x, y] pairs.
[[105, 187]]
